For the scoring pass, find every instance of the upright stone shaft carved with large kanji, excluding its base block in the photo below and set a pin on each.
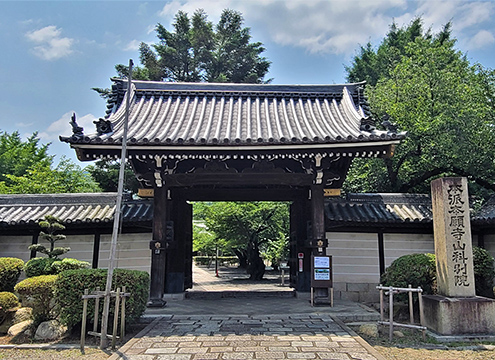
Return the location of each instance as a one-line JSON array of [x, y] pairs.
[[452, 233]]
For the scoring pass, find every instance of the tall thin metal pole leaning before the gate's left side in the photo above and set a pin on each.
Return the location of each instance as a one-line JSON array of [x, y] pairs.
[[116, 219]]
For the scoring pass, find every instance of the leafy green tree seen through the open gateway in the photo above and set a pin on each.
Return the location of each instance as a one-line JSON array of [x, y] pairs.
[[247, 228]]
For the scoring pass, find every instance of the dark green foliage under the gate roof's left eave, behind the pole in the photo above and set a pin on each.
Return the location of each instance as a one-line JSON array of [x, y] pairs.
[[106, 174]]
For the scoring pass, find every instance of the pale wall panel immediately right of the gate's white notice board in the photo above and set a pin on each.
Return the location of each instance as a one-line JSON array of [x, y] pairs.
[[354, 256]]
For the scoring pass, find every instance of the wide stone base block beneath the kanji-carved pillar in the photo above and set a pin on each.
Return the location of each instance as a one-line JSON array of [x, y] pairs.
[[456, 316]]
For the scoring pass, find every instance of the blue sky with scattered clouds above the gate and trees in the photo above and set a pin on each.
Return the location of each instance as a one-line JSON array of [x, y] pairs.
[[54, 52]]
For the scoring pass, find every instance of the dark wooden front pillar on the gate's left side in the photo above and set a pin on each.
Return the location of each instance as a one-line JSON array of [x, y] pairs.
[[157, 246]]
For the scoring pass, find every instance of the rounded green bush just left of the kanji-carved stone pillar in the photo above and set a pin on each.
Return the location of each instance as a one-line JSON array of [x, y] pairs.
[[419, 270]]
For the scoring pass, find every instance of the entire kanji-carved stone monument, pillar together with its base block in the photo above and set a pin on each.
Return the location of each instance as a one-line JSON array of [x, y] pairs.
[[456, 309]]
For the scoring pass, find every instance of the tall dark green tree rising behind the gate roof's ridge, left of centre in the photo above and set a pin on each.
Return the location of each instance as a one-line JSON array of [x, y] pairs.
[[196, 50]]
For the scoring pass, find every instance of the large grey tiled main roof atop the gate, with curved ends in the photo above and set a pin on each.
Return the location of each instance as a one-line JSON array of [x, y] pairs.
[[171, 114]]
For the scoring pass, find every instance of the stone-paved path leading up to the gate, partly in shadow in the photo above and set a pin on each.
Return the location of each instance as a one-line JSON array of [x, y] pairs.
[[195, 337]]
